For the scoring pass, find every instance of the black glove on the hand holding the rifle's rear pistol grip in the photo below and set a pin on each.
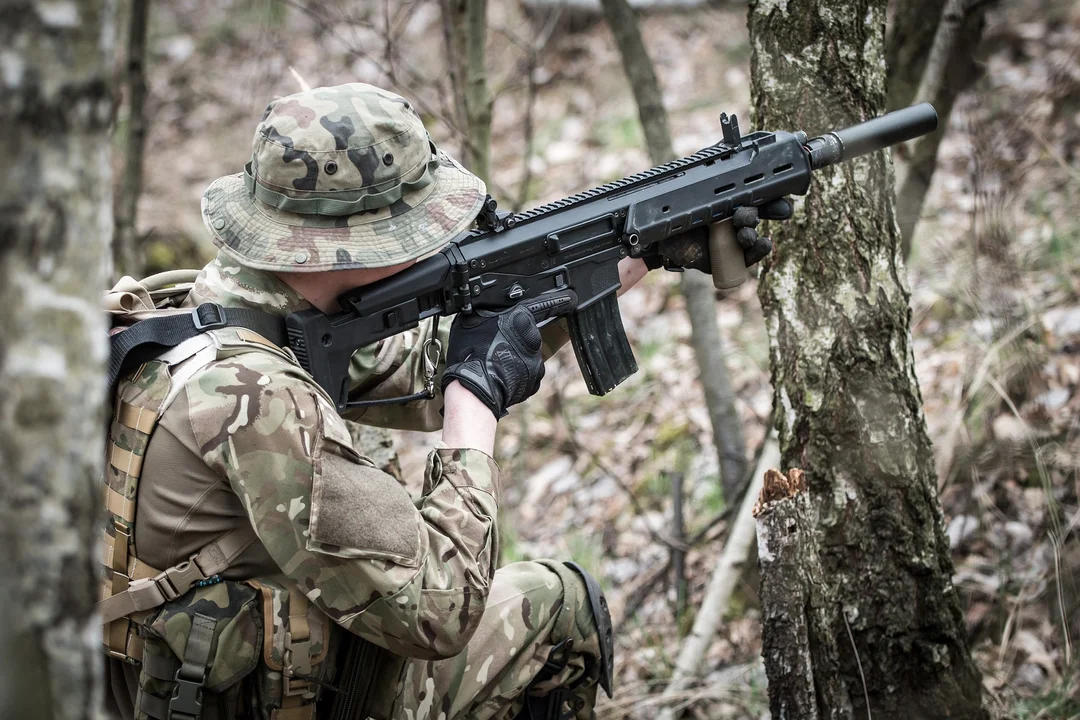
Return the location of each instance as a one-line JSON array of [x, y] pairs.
[[496, 357]]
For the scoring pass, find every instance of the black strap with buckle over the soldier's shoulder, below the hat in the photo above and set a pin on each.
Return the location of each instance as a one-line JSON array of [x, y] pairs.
[[148, 338]]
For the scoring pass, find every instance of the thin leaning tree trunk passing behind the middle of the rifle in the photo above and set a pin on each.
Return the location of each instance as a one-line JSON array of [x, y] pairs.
[[697, 288]]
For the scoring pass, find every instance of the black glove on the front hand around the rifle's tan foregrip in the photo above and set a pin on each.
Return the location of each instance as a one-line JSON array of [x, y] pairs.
[[691, 250]]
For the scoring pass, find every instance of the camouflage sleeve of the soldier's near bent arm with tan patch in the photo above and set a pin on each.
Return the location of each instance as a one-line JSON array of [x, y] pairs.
[[412, 577]]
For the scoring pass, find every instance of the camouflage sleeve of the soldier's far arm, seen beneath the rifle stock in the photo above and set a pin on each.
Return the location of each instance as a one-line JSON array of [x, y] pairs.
[[395, 368]]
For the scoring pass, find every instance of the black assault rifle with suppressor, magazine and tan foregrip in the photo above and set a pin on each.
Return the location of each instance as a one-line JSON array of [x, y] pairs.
[[561, 260]]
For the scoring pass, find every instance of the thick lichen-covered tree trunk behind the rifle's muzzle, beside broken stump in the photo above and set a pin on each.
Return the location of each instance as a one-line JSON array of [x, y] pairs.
[[848, 404]]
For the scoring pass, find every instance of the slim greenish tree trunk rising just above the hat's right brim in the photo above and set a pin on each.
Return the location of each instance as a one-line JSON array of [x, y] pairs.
[[465, 30]]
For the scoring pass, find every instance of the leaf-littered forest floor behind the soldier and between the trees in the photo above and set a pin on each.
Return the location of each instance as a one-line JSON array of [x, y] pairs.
[[995, 301]]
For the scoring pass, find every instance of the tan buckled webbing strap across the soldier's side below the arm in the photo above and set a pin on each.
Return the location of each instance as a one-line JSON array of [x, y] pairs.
[[170, 585]]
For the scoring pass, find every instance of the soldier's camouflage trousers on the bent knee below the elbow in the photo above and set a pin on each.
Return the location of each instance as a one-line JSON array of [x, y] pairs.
[[532, 608]]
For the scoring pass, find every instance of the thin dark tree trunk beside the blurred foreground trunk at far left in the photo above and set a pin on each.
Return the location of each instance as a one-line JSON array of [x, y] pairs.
[[126, 238]]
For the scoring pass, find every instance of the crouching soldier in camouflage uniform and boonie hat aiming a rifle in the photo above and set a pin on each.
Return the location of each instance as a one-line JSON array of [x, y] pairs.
[[229, 436]]
